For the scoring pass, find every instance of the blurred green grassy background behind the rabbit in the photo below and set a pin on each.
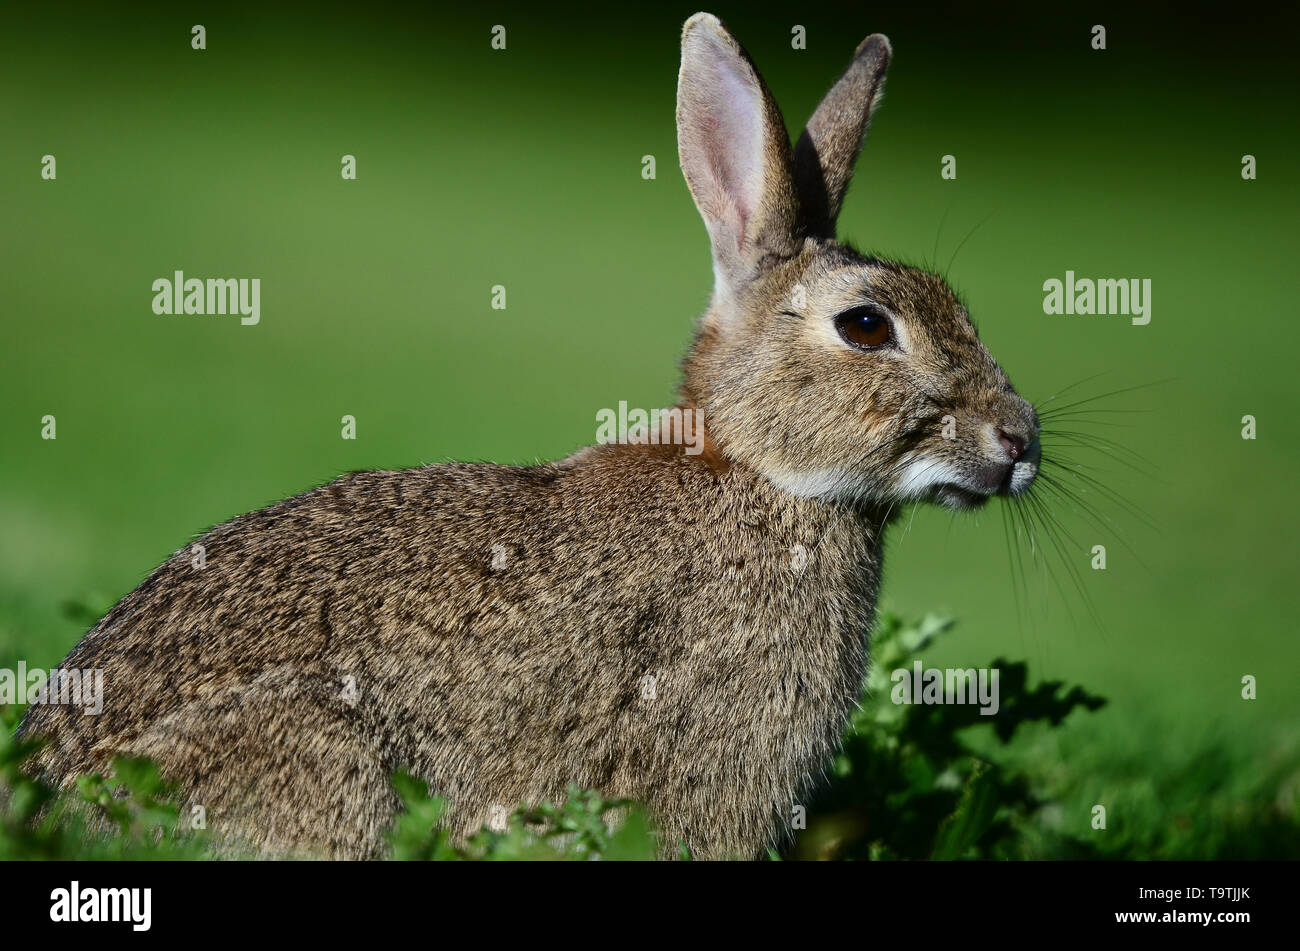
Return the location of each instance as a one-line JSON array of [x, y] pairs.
[[523, 168]]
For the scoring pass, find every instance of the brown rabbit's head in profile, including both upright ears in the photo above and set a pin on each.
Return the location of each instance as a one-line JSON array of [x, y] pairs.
[[831, 374]]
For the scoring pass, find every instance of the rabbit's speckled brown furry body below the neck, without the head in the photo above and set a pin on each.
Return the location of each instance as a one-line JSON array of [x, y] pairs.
[[631, 620]]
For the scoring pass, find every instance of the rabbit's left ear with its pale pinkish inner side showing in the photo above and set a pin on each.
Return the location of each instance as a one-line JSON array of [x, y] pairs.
[[735, 153]]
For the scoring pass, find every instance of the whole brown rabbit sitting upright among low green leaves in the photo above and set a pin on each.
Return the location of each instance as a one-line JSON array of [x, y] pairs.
[[684, 629]]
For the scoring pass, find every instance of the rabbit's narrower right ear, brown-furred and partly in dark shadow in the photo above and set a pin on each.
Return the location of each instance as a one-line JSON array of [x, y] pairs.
[[829, 149]]
